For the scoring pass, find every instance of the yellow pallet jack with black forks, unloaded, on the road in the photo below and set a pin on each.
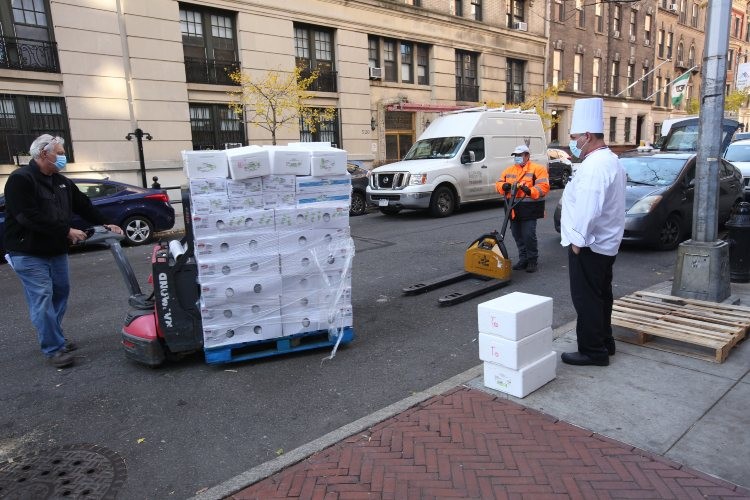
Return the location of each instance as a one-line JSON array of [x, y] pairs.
[[486, 259]]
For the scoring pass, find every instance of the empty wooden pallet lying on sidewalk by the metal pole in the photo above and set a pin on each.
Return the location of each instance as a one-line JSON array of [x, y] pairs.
[[697, 328]]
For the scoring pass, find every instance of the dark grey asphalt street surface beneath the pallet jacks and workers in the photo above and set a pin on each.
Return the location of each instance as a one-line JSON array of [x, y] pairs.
[[187, 426]]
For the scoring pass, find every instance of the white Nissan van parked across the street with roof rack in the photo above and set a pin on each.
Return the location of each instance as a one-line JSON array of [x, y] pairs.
[[457, 160]]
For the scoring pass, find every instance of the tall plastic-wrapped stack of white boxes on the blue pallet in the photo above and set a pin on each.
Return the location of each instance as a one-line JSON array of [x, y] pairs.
[[272, 241]]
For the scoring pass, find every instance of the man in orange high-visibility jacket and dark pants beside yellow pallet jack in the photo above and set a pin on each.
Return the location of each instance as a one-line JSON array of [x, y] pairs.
[[532, 184]]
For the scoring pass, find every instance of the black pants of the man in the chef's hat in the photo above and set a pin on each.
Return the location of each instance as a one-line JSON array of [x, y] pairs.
[[591, 291]]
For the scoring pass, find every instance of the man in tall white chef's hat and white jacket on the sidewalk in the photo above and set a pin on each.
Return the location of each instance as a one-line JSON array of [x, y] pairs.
[[591, 226]]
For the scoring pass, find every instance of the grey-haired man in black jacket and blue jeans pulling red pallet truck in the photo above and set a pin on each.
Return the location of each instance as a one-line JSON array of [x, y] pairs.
[[39, 206]]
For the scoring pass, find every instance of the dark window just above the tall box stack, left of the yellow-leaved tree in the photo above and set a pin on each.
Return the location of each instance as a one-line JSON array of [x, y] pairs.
[[215, 125]]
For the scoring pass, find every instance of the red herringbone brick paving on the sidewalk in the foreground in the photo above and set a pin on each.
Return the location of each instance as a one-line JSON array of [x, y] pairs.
[[469, 444]]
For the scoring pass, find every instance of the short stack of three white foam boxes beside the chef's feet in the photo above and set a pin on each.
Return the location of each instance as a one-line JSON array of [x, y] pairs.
[[515, 343]]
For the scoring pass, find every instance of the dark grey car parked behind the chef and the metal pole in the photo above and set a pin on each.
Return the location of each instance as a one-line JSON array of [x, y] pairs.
[[659, 197]]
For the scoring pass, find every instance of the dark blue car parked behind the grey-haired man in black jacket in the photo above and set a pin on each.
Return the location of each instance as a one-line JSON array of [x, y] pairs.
[[140, 212]]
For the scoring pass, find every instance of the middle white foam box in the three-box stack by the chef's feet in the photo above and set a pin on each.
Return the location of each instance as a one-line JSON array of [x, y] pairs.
[[515, 354]]
